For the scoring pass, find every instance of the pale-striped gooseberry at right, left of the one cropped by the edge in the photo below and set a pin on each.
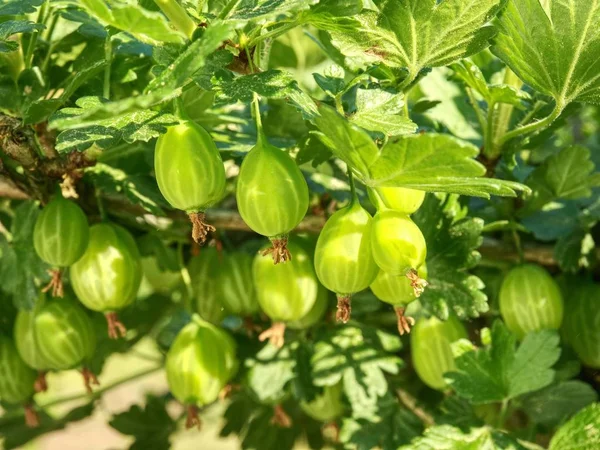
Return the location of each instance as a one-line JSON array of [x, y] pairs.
[[530, 300]]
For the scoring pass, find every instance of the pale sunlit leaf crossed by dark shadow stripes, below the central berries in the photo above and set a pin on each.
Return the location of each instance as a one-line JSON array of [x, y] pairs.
[[359, 357]]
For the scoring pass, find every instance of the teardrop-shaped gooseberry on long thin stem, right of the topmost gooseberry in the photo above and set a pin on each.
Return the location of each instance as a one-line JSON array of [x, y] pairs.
[[272, 195]]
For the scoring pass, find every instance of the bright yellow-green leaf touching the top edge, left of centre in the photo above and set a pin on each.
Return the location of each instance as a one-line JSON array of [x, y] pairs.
[[147, 26]]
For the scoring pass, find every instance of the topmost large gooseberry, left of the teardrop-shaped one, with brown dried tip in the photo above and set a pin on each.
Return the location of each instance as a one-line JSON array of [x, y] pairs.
[[190, 173]]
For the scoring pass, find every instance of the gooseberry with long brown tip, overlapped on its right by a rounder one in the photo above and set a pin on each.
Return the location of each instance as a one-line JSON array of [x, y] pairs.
[[343, 258]]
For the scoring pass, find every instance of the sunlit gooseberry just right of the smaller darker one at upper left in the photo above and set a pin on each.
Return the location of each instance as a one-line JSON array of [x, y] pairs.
[[108, 275]]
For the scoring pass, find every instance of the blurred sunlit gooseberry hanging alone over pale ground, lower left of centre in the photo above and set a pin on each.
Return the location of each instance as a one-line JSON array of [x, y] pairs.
[[200, 362]]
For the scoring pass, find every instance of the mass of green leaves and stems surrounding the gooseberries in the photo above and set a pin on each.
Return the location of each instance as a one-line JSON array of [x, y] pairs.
[[77, 76]]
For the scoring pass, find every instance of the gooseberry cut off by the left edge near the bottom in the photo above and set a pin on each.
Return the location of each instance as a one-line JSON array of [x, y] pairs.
[[16, 378]]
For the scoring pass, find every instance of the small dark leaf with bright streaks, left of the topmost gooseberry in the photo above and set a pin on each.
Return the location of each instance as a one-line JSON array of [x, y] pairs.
[[138, 189]]
